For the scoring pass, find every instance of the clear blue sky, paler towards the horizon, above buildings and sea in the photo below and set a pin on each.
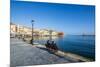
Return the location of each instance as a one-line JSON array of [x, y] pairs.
[[67, 18]]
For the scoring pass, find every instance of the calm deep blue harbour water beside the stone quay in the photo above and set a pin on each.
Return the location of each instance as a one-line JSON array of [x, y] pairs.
[[77, 44]]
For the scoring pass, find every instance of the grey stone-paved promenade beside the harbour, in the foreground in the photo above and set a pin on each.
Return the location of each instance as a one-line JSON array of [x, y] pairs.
[[23, 54]]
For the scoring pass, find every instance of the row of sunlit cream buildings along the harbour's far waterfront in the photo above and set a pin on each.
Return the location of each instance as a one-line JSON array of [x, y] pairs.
[[23, 30]]
